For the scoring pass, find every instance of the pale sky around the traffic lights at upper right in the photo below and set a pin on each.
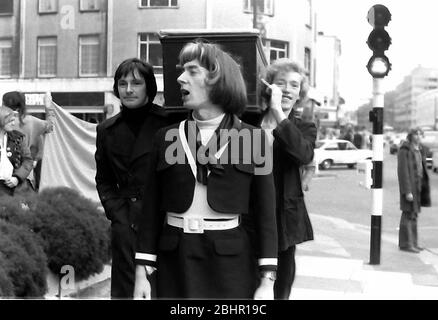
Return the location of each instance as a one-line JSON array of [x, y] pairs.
[[413, 29]]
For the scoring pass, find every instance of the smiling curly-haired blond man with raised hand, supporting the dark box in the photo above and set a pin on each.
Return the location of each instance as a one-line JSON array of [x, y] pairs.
[[293, 142]]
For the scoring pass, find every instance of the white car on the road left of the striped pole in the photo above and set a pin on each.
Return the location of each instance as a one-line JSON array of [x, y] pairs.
[[335, 151]]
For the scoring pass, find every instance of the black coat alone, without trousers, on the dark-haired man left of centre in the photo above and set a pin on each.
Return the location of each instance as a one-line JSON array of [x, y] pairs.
[[121, 161]]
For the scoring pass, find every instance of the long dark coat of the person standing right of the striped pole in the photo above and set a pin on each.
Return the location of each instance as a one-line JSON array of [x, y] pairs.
[[407, 172]]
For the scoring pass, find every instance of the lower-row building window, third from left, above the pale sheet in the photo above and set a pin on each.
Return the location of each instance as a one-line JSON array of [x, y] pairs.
[[89, 48]]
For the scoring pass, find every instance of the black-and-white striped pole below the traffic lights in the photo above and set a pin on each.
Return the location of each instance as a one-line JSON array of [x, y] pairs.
[[376, 116]]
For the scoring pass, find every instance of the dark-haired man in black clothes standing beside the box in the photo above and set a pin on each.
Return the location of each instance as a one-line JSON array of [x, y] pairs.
[[123, 153]]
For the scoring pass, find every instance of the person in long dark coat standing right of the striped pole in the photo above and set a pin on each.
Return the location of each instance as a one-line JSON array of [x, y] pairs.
[[414, 188]]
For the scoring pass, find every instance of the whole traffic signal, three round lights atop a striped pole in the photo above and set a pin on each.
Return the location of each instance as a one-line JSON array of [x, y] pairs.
[[379, 67]]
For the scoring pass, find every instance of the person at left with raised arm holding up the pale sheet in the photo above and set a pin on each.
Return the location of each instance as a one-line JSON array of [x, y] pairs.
[[34, 130]]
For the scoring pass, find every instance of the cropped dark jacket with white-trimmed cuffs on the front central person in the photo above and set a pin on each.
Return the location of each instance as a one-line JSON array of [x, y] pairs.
[[233, 191]]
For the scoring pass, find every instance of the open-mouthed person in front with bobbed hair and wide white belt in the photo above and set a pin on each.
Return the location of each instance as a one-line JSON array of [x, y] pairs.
[[191, 228]]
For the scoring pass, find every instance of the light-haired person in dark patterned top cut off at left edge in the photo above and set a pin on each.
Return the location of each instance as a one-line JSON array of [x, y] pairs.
[[15, 158]]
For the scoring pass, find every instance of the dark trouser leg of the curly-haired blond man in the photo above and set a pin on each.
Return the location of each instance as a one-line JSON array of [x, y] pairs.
[[285, 274]]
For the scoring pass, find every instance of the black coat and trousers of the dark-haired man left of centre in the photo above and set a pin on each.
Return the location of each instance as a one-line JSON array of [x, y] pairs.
[[121, 162]]
